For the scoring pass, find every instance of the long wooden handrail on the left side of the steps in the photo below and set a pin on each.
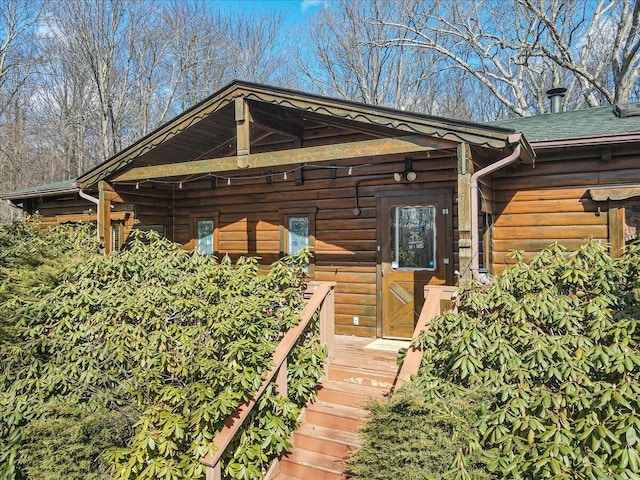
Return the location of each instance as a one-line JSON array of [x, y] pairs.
[[322, 300]]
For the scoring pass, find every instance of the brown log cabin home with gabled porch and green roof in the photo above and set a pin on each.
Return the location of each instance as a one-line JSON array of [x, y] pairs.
[[387, 201]]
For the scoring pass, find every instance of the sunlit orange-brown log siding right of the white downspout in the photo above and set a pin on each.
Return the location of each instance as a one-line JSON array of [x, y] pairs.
[[535, 207]]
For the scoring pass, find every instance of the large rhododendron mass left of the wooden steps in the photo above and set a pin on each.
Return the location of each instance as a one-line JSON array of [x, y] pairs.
[[166, 345]]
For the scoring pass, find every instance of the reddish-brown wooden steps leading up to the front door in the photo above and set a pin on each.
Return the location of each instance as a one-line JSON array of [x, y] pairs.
[[328, 435]]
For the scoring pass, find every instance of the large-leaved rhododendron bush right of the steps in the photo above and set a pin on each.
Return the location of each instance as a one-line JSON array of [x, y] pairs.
[[556, 342]]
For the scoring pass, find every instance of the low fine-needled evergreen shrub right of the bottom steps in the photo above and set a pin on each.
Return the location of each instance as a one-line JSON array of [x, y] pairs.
[[411, 438]]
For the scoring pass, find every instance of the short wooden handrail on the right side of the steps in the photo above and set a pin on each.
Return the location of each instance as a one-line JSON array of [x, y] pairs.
[[434, 294]]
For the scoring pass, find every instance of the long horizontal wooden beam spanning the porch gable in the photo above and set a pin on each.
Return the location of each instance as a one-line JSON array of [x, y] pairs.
[[341, 151]]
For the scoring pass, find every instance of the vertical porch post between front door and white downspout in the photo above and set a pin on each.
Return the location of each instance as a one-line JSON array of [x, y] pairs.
[[465, 170]]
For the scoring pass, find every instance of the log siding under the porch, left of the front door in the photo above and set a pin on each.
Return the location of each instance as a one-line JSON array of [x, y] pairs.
[[248, 215]]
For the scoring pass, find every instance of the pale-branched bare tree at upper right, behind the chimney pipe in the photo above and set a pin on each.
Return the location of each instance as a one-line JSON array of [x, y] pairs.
[[518, 49]]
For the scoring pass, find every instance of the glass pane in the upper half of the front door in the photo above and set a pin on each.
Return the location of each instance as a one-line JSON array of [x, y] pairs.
[[413, 238]]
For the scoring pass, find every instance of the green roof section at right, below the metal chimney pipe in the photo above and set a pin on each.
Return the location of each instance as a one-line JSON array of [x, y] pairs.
[[590, 122]]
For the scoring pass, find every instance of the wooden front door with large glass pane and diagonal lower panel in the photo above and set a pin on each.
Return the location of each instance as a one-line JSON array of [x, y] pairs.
[[415, 248]]
